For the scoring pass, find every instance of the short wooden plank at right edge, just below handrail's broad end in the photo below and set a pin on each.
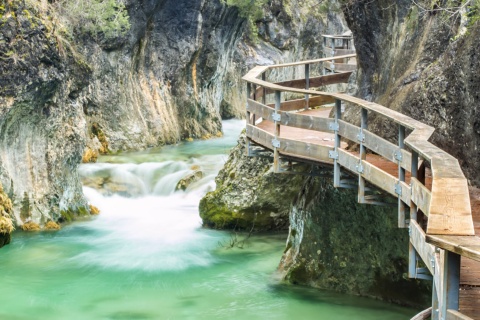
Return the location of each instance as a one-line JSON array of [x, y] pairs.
[[466, 246]]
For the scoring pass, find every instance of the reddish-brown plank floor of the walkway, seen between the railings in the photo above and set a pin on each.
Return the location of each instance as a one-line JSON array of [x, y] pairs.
[[470, 269]]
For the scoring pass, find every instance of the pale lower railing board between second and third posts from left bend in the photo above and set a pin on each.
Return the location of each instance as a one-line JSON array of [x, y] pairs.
[[305, 150]]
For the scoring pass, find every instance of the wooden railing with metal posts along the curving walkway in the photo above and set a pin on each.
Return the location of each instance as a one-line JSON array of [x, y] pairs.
[[446, 204]]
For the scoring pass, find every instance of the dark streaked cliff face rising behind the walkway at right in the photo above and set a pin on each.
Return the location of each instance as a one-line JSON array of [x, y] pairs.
[[423, 63]]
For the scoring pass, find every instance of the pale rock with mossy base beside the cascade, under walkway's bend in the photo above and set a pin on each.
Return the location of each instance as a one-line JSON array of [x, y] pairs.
[[249, 194]]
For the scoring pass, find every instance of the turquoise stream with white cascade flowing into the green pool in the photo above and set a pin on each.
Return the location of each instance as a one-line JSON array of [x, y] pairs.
[[147, 257]]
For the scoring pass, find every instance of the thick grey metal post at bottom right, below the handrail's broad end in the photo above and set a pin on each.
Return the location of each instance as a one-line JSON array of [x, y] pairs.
[[451, 283]]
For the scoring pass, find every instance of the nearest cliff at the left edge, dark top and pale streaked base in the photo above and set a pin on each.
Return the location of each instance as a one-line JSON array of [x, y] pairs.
[[41, 121]]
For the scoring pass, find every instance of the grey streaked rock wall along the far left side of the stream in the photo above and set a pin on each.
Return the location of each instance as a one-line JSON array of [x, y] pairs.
[[174, 75]]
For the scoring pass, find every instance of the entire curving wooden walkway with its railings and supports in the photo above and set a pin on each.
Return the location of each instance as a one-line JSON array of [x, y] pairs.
[[433, 200]]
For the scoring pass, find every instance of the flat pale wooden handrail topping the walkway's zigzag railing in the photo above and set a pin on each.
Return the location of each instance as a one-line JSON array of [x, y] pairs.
[[449, 210]]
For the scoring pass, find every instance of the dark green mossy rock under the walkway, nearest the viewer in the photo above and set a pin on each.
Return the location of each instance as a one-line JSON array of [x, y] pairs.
[[337, 244]]
